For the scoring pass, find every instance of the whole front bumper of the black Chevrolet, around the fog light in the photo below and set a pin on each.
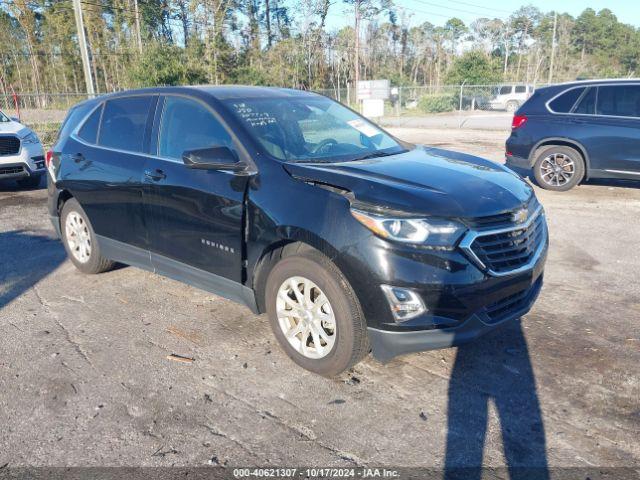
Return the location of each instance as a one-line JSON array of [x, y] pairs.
[[463, 297]]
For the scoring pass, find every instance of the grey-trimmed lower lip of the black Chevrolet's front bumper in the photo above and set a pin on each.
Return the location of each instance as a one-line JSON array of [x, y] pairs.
[[387, 344]]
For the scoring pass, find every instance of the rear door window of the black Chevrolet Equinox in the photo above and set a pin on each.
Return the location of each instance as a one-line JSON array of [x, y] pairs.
[[124, 122]]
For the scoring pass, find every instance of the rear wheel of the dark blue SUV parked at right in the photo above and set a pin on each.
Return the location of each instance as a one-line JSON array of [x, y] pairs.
[[554, 164]]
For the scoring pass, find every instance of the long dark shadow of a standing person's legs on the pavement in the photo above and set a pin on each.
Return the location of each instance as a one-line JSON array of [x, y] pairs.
[[495, 369]]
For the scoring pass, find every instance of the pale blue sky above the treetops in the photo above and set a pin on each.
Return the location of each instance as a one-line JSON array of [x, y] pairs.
[[438, 11]]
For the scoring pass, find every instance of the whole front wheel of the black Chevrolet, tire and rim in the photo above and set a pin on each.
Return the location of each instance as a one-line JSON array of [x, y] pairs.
[[347, 331]]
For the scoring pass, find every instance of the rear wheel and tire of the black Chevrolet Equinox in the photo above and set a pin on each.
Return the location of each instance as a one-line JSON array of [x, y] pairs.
[[81, 228]]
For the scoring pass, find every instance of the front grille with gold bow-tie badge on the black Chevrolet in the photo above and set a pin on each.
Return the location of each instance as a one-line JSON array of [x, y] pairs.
[[504, 251]]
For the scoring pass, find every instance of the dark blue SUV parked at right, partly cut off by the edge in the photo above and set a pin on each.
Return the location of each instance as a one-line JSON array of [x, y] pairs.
[[576, 131]]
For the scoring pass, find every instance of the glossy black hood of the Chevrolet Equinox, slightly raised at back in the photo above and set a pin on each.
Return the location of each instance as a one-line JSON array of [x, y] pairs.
[[425, 180]]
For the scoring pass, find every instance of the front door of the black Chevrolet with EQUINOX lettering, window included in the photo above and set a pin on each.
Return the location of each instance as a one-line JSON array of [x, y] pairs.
[[195, 216]]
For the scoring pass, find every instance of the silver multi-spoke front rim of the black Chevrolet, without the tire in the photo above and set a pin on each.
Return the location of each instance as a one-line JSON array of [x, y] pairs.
[[306, 317]]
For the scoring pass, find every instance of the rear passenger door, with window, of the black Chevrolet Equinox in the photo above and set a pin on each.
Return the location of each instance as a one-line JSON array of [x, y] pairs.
[[104, 163]]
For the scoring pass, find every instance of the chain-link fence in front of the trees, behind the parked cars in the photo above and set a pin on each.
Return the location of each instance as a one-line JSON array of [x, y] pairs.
[[445, 106]]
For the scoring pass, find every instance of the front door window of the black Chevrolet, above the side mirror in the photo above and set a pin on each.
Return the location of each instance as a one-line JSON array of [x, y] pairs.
[[188, 125]]
